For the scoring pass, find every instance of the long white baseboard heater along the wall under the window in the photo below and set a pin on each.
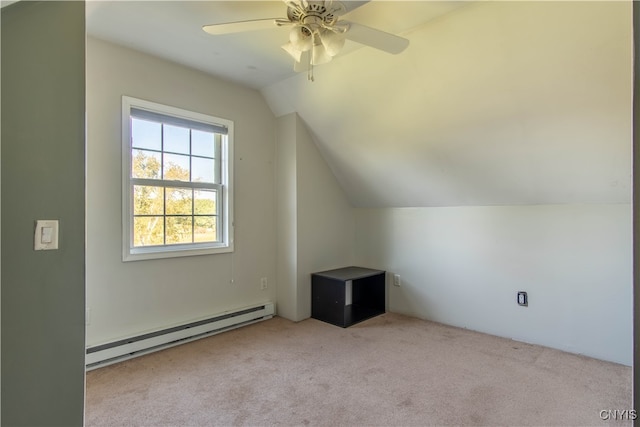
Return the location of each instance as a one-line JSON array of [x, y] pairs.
[[116, 351]]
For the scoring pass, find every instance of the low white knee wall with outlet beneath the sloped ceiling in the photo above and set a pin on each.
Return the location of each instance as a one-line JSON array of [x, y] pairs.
[[463, 266]]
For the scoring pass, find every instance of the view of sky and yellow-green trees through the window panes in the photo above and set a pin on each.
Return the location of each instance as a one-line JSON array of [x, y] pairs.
[[165, 210]]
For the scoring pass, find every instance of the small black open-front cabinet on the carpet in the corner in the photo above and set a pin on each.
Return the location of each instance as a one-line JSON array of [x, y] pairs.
[[347, 295]]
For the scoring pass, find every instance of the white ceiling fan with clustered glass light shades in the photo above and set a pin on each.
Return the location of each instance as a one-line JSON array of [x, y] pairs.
[[317, 33]]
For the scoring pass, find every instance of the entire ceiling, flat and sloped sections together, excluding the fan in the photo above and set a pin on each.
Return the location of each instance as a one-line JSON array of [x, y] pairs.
[[493, 103]]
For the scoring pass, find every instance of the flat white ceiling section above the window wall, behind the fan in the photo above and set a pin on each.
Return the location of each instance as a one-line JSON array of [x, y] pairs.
[[173, 30]]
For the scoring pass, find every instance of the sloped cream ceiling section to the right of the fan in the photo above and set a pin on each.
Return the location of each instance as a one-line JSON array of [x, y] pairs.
[[495, 103]]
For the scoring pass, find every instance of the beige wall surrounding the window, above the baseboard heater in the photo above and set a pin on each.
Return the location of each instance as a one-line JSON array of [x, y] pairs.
[[133, 297]]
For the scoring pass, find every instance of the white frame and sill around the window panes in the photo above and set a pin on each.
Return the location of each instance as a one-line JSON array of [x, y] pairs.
[[225, 194]]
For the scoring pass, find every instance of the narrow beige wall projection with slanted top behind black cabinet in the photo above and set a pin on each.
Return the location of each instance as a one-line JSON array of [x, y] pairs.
[[316, 228]]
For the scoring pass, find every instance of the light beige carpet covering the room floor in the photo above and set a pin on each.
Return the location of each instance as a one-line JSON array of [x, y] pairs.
[[391, 370]]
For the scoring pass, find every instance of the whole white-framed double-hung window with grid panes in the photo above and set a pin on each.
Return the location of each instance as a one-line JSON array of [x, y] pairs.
[[177, 182]]
